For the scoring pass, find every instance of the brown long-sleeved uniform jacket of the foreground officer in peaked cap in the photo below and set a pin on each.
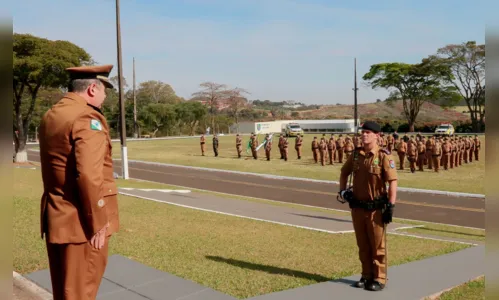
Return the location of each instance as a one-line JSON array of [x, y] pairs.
[[80, 194]]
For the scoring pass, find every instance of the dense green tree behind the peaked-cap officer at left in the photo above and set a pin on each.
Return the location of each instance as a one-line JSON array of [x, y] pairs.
[[38, 63]]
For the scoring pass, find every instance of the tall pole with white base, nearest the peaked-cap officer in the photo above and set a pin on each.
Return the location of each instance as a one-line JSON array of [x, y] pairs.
[[124, 159]]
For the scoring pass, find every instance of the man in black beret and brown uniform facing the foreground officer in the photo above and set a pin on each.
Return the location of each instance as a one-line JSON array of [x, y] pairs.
[[371, 203]]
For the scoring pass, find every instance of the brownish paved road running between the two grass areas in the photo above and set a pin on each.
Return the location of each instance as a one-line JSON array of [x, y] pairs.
[[463, 211]]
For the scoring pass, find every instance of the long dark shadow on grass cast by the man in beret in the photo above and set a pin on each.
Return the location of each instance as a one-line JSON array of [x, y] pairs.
[[269, 269]]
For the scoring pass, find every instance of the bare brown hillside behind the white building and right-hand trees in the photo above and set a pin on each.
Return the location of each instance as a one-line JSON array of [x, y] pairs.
[[382, 111]]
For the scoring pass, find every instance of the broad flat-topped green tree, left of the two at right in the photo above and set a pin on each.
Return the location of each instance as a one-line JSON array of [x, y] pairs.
[[414, 83]]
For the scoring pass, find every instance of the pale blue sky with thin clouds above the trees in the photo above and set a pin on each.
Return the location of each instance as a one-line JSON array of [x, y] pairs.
[[301, 50]]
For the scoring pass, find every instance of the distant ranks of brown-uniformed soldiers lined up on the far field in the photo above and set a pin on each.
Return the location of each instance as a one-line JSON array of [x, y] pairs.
[[433, 151]]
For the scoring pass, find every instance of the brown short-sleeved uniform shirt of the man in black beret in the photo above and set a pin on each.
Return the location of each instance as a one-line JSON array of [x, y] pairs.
[[371, 172]]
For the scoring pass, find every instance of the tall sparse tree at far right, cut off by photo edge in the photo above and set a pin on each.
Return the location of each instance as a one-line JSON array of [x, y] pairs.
[[467, 64]]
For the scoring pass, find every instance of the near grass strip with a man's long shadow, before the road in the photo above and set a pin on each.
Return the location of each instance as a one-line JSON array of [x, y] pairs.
[[237, 256]]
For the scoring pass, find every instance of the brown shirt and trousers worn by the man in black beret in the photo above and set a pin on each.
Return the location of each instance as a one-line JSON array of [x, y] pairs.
[[371, 172]]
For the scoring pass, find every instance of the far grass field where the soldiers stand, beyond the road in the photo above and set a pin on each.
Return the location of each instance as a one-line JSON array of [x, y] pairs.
[[468, 178]]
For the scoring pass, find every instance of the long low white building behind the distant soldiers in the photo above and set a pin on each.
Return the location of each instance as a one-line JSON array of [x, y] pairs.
[[308, 126]]
